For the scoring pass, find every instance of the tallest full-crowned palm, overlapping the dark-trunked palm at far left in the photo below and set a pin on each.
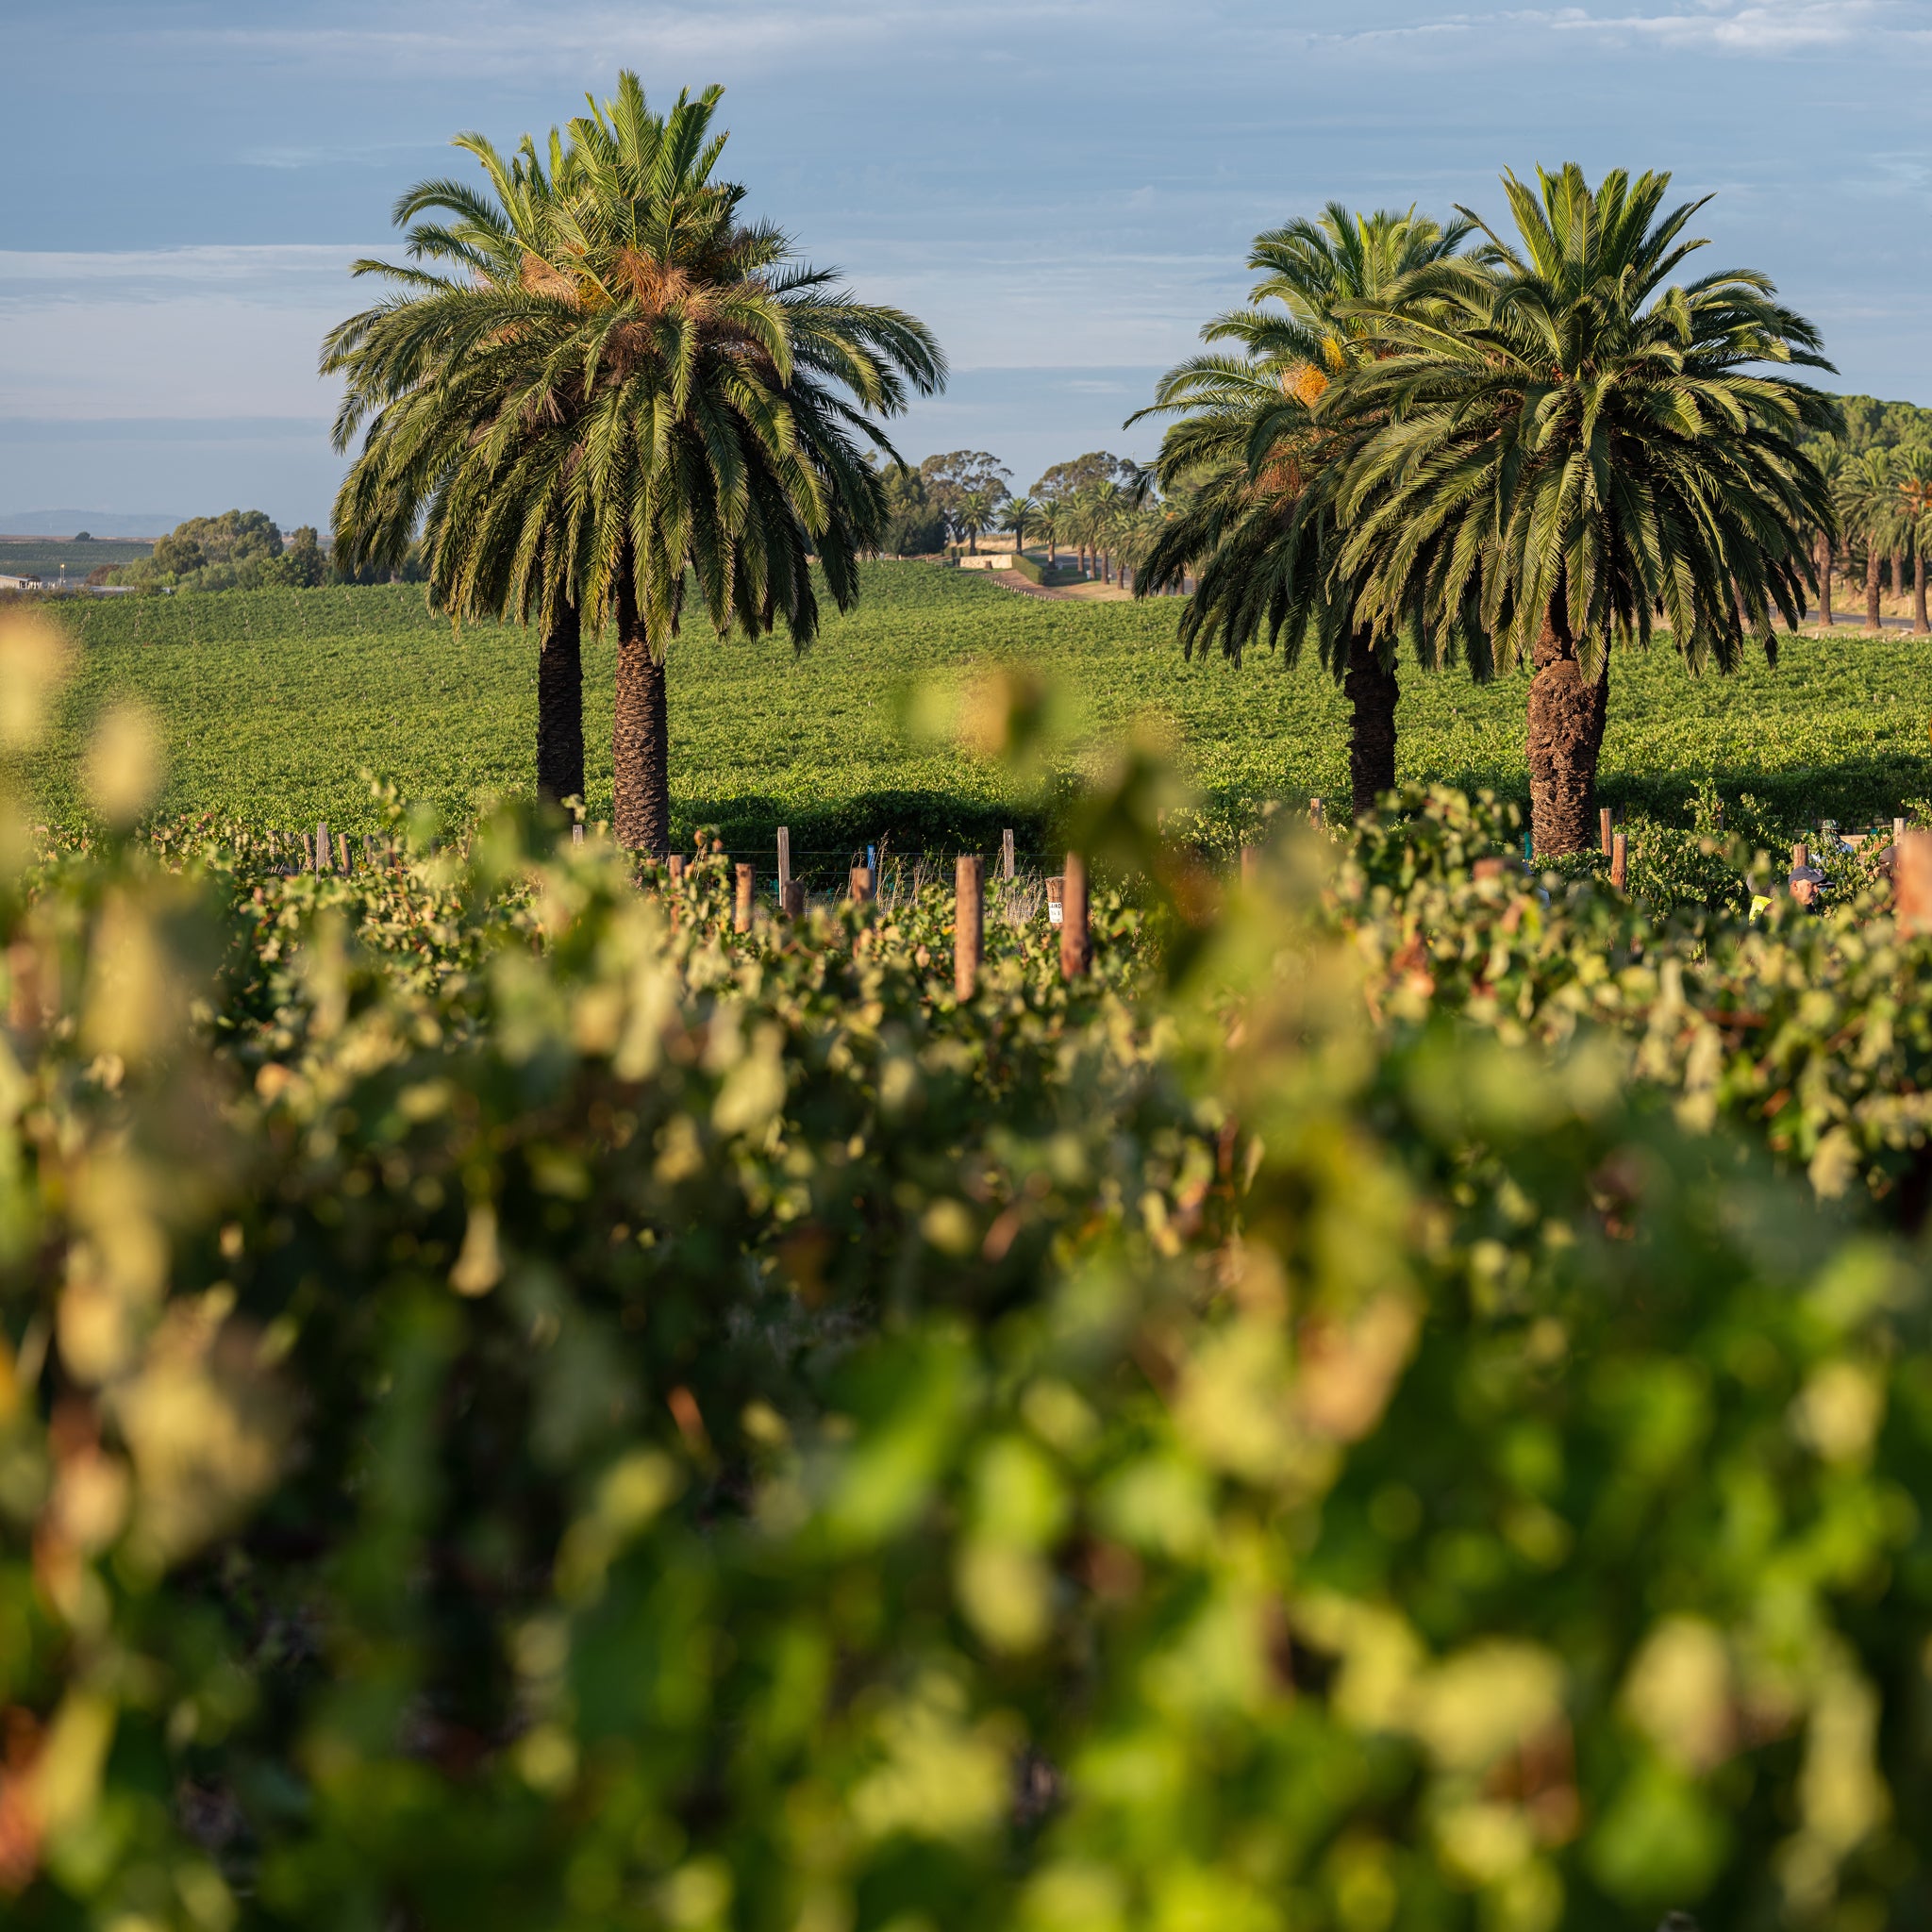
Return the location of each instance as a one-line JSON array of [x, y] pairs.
[[666, 403]]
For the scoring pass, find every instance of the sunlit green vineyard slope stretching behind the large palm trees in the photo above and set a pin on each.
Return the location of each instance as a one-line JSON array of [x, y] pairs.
[[275, 700]]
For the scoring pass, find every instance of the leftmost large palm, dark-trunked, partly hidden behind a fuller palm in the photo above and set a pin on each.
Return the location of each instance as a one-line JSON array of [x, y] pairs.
[[428, 378]]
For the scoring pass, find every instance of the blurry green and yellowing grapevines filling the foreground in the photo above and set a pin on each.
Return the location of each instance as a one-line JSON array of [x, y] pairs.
[[1392, 1402]]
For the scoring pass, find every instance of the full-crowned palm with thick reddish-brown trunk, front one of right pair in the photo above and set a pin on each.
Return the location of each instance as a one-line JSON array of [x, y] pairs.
[[1572, 443]]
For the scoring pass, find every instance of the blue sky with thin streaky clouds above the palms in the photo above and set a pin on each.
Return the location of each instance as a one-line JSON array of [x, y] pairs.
[[1064, 190]]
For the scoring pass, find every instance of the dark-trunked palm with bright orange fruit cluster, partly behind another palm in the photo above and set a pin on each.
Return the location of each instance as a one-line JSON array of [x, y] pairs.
[[1251, 470]]
